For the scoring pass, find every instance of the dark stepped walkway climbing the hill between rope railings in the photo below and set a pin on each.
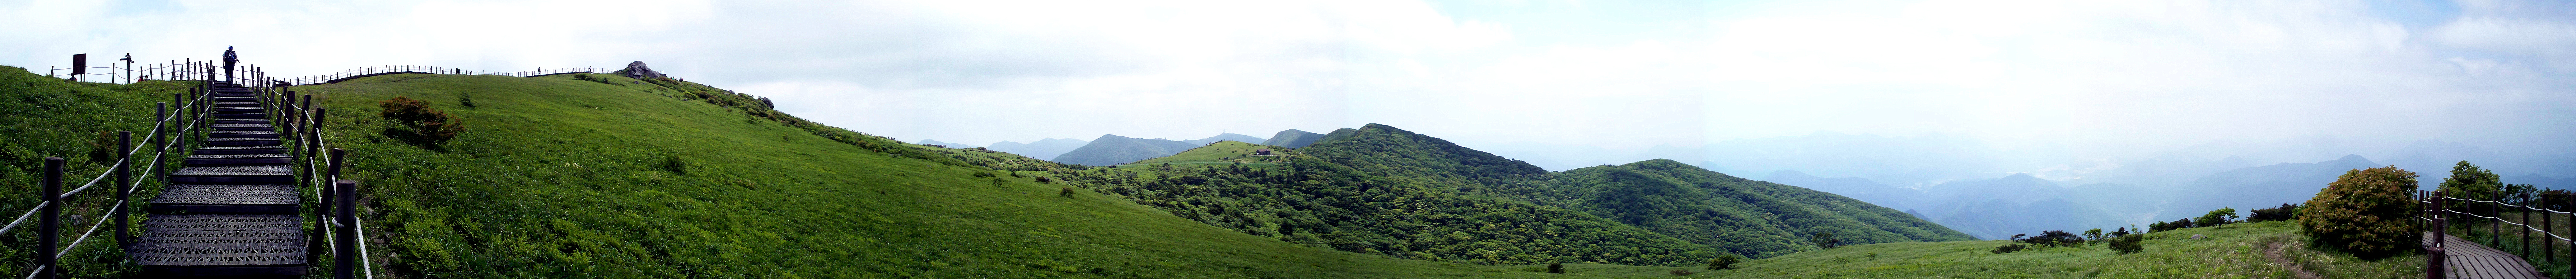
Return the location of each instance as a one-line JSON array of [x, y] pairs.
[[233, 208]]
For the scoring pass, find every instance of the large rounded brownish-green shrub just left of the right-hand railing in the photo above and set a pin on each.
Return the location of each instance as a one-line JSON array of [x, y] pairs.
[[2363, 213]]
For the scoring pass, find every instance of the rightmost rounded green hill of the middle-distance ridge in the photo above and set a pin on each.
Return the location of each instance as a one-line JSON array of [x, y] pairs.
[[1743, 216]]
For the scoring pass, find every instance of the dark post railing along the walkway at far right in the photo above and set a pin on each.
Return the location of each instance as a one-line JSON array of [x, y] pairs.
[[2497, 223]]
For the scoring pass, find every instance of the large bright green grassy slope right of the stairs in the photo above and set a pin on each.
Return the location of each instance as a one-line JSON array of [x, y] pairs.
[[560, 177]]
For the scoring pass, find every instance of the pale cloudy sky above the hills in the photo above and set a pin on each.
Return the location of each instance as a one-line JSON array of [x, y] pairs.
[[2057, 81]]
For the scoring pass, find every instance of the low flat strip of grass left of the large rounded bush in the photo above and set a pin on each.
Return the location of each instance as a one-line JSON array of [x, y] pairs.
[[2232, 252]]
